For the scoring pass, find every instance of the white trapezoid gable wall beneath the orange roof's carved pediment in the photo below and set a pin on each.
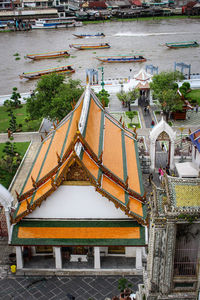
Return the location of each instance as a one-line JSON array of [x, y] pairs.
[[77, 202]]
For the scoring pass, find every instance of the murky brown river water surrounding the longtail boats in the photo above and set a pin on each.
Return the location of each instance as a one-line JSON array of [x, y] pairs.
[[137, 37]]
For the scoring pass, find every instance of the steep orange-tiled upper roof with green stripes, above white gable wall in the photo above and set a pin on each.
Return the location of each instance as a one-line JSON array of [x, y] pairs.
[[92, 140]]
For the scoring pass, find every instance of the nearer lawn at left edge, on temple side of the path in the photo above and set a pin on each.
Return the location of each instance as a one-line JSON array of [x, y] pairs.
[[5, 177]]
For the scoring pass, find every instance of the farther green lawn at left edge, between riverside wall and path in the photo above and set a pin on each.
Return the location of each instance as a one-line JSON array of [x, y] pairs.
[[20, 114]]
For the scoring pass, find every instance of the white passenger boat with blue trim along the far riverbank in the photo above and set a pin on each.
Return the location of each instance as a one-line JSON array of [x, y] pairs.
[[56, 23]]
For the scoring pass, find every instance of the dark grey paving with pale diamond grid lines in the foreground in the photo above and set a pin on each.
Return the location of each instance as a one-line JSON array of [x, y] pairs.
[[58, 288]]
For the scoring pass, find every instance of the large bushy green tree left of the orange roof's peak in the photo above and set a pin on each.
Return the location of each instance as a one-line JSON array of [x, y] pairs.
[[52, 98]]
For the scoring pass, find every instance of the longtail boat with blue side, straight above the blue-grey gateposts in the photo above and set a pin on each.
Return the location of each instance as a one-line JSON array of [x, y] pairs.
[[121, 58]]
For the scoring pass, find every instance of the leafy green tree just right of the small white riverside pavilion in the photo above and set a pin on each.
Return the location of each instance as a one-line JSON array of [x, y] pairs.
[[165, 89]]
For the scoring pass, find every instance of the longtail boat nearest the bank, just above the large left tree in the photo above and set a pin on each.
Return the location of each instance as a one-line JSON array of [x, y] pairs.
[[38, 74]]
